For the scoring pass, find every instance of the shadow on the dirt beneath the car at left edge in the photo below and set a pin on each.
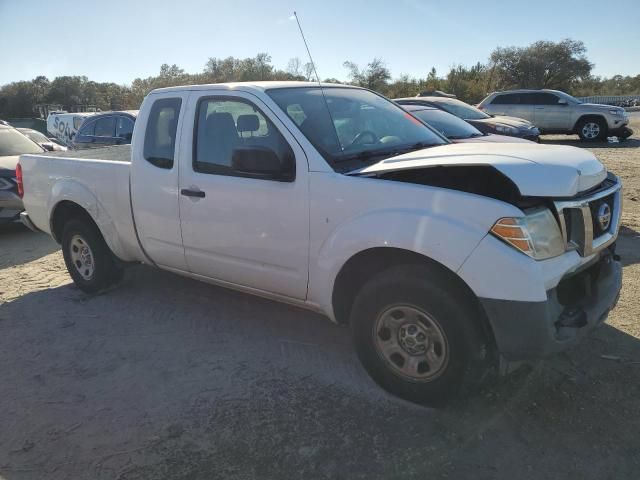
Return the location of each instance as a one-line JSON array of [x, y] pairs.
[[31, 245]]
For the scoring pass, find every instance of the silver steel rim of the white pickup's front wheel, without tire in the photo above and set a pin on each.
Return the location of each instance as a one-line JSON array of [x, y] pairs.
[[411, 342]]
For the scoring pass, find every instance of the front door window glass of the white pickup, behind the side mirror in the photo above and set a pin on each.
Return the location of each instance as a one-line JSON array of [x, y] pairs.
[[224, 125]]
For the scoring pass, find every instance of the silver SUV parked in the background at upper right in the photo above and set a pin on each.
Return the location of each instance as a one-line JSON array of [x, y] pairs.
[[553, 111]]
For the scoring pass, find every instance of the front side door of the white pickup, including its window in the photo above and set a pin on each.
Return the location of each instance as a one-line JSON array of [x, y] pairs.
[[244, 230]]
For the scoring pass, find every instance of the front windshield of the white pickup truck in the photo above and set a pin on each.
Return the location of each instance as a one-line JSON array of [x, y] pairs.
[[361, 124]]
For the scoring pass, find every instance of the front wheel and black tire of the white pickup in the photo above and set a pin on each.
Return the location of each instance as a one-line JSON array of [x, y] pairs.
[[417, 335]]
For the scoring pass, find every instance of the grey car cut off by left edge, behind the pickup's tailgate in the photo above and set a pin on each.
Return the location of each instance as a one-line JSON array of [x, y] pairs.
[[12, 144]]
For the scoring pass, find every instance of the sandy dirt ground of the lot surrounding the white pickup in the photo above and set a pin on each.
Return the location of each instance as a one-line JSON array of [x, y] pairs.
[[170, 378]]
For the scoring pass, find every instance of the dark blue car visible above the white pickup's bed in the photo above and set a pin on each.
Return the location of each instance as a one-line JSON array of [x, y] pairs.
[[105, 129]]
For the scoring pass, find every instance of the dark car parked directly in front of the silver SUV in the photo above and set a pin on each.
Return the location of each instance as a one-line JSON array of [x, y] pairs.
[[502, 125]]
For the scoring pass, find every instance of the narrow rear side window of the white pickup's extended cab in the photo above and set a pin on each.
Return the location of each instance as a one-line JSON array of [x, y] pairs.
[[160, 136]]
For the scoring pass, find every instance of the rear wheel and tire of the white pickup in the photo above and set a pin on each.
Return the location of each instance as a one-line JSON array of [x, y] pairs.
[[89, 260]]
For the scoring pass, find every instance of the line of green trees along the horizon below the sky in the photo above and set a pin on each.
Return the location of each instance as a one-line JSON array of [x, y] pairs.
[[559, 65]]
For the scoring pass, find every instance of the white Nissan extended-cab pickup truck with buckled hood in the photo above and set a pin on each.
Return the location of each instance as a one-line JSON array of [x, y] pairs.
[[444, 259]]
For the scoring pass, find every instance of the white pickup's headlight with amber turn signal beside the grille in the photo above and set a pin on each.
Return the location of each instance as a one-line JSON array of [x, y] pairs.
[[537, 234]]
